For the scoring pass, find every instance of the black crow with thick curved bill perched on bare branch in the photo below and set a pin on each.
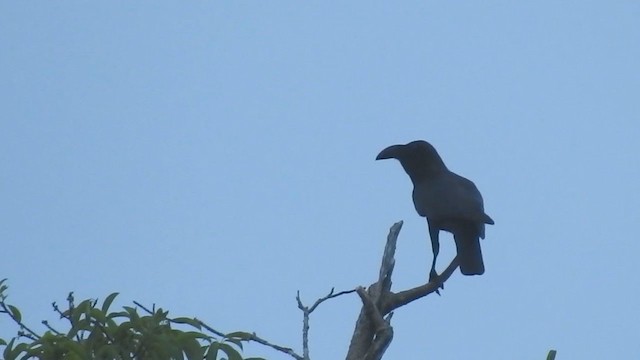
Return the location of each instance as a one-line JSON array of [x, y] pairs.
[[448, 201]]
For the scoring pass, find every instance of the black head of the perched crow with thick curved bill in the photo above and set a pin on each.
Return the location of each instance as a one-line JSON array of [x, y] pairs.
[[418, 158]]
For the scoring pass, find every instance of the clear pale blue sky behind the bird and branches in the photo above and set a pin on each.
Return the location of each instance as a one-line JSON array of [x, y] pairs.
[[215, 157]]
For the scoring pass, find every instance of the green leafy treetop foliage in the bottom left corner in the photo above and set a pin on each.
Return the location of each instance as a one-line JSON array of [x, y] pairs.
[[95, 333]]
